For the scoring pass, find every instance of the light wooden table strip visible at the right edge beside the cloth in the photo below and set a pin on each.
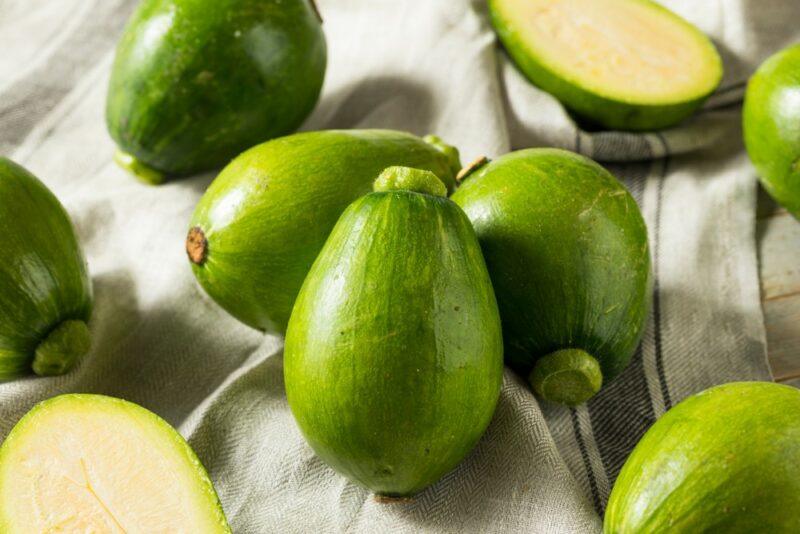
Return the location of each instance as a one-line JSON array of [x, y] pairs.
[[778, 237]]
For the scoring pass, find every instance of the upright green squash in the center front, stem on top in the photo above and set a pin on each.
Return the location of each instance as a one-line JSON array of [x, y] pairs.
[[393, 359]]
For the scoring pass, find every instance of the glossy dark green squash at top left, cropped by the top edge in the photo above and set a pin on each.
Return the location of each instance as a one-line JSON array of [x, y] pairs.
[[196, 82]]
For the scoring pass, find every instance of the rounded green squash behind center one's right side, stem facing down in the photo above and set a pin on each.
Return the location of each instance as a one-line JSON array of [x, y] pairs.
[[567, 251]]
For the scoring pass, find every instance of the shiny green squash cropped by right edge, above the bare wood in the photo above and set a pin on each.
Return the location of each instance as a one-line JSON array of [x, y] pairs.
[[772, 126]]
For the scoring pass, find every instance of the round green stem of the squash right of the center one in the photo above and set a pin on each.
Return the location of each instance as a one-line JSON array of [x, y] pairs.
[[568, 376]]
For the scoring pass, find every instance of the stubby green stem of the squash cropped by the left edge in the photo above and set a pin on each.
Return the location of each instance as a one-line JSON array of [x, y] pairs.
[[61, 348]]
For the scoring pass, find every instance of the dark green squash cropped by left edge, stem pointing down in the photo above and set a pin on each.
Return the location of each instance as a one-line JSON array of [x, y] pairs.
[[45, 291]]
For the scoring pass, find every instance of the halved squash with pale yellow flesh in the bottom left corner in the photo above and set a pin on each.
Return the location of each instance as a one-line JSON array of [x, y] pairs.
[[90, 463]]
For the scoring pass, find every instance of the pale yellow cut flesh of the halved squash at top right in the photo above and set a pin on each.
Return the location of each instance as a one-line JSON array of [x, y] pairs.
[[622, 48]]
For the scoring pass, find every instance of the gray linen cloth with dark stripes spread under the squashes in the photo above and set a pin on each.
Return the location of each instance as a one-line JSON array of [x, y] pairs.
[[426, 66]]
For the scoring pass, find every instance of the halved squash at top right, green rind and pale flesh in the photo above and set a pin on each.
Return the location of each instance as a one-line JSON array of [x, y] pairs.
[[622, 64]]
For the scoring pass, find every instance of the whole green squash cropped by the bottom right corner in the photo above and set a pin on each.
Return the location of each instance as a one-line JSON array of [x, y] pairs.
[[724, 460]]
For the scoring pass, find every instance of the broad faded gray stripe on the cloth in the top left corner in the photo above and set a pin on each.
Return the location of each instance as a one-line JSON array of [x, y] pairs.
[[28, 100]]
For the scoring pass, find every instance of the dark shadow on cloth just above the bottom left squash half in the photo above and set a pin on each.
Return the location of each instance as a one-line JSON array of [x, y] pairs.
[[152, 356]]
